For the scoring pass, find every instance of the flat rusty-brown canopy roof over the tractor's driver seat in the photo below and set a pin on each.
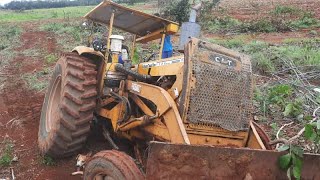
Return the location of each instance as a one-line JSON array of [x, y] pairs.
[[127, 19]]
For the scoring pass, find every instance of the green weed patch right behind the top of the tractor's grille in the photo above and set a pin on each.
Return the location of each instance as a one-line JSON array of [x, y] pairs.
[[268, 59]]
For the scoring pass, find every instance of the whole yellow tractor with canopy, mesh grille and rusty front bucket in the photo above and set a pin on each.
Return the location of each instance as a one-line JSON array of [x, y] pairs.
[[187, 116]]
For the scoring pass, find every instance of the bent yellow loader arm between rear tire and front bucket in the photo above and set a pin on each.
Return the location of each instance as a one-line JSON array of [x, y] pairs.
[[171, 129]]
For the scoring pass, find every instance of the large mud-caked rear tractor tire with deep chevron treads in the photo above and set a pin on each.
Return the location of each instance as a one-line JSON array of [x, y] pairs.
[[68, 106]]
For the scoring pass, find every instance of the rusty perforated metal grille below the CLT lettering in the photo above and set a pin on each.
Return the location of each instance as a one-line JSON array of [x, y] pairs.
[[221, 97]]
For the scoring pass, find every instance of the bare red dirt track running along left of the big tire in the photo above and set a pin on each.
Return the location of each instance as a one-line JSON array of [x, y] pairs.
[[20, 108]]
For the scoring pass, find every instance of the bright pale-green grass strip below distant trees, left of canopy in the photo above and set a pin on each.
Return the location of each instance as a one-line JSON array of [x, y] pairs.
[[37, 14]]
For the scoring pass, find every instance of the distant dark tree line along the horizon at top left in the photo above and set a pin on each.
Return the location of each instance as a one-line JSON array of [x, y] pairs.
[[40, 4]]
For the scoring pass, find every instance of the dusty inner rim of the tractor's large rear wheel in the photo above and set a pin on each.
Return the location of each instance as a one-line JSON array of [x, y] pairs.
[[53, 104]]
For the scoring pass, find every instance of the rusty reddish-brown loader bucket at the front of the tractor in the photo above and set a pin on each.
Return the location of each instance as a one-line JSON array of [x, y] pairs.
[[178, 161]]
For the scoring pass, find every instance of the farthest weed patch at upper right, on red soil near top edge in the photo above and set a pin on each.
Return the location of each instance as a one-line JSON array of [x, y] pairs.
[[280, 19]]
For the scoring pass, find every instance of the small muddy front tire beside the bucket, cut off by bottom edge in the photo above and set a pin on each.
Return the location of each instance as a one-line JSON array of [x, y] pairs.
[[112, 164]]
